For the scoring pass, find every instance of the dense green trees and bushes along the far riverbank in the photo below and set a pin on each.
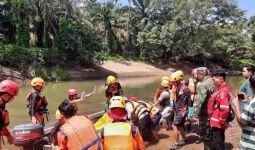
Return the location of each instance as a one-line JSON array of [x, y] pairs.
[[40, 34]]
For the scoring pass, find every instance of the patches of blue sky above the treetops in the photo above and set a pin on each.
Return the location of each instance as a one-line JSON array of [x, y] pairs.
[[247, 5]]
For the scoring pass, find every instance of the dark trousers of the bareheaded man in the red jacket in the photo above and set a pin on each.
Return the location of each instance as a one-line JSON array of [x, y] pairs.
[[218, 138]]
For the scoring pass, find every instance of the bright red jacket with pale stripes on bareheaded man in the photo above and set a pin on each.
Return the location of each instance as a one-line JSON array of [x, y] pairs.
[[218, 106]]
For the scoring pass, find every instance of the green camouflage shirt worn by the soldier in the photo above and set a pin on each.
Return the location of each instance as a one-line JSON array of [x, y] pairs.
[[204, 90]]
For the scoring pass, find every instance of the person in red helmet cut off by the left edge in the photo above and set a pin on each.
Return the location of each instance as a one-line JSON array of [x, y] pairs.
[[8, 90]]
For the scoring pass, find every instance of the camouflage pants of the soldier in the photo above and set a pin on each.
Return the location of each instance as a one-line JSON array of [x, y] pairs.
[[204, 131]]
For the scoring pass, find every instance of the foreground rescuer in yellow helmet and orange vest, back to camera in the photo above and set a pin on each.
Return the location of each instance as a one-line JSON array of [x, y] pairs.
[[120, 134]]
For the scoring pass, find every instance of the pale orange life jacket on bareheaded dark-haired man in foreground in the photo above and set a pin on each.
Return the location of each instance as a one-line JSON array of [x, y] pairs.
[[81, 134]]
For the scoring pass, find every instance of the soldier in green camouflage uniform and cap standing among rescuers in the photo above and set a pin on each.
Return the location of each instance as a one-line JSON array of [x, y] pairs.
[[204, 90]]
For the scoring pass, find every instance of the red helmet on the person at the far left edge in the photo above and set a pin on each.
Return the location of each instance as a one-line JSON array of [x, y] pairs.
[[9, 87]]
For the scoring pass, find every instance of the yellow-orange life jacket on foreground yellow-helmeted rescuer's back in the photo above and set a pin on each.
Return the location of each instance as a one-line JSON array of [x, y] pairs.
[[119, 136]]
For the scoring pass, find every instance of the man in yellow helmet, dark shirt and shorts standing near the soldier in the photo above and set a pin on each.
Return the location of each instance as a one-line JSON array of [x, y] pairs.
[[181, 97]]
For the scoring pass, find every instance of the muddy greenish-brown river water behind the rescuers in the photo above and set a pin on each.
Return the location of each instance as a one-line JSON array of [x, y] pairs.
[[142, 87]]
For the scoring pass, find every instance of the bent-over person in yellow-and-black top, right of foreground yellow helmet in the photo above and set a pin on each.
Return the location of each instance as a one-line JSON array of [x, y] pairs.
[[140, 116]]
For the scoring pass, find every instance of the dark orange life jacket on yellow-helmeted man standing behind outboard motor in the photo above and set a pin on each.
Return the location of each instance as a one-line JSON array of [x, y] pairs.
[[40, 104]]
